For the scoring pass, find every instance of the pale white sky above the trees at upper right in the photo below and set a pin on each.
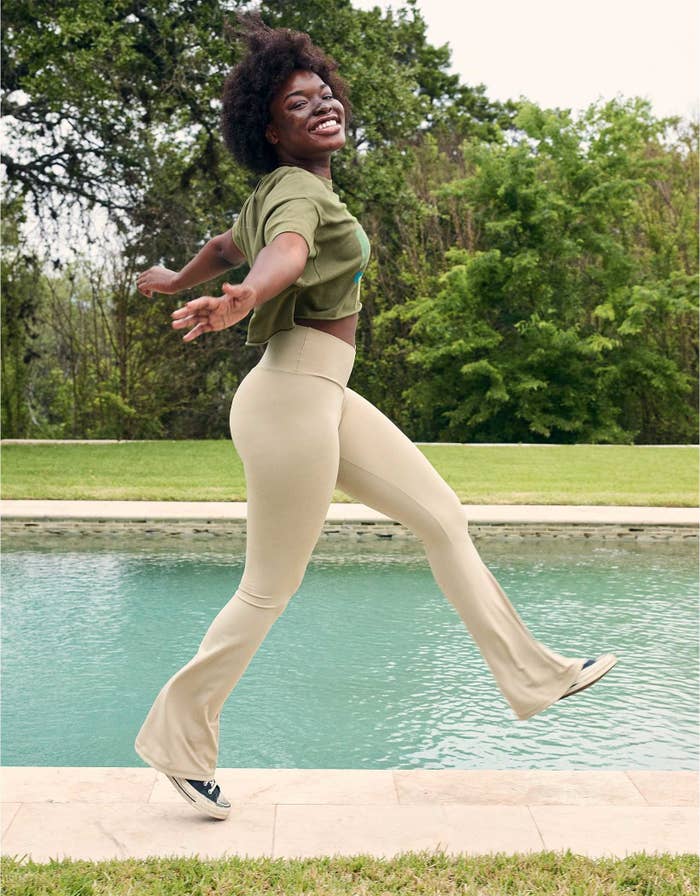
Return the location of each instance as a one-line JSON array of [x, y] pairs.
[[568, 54]]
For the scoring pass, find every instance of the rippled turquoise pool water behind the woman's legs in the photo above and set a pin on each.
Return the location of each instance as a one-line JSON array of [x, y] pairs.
[[369, 666]]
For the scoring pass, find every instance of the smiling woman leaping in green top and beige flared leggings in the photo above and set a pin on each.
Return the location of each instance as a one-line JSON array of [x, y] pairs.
[[300, 431]]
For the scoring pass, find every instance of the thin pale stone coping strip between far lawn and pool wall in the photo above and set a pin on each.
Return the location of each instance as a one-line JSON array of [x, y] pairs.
[[342, 512]]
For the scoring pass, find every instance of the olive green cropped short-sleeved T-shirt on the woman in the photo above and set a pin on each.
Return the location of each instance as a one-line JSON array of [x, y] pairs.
[[292, 199]]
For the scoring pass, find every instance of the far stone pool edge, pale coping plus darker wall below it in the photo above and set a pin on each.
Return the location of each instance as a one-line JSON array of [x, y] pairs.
[[348, 521]]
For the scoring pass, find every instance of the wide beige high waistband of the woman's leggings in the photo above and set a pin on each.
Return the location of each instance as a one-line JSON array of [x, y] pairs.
[[308, 350]]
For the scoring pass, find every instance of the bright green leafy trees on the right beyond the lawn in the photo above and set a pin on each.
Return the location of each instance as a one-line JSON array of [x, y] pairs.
[[567, 308]]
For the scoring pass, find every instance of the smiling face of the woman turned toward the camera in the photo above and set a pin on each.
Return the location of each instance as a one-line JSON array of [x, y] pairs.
[[306, 121]]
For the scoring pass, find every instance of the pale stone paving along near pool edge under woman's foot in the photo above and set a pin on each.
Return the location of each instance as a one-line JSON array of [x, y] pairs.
[[103, 813]]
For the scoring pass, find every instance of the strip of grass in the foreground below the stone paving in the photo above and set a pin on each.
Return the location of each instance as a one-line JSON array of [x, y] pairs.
[[410, 874]]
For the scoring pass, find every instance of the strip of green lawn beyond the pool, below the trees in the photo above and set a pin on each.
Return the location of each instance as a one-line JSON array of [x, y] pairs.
[[501, 474]]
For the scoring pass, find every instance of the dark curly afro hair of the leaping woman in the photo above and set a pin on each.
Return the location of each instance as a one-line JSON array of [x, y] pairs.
[[273, 54]]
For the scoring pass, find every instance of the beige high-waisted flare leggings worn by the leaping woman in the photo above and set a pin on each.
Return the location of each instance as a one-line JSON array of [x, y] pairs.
[[301, 432]]
